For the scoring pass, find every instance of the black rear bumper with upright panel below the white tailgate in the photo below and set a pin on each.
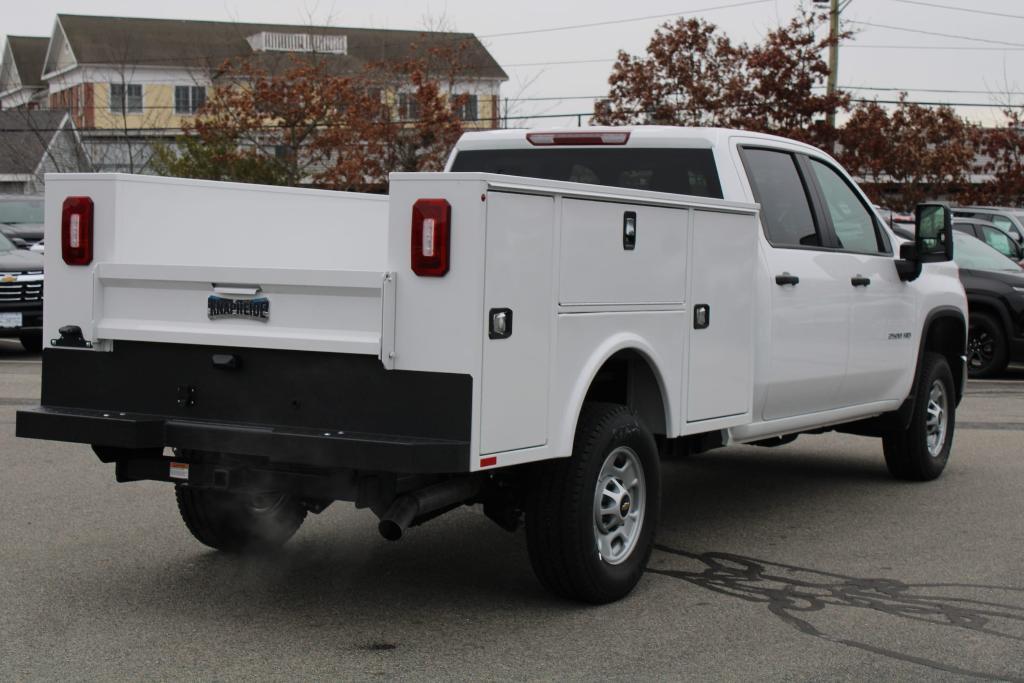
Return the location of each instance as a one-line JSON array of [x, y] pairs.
[[288, 408]]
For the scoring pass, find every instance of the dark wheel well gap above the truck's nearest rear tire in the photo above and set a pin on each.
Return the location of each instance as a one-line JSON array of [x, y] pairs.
[[629, 379]]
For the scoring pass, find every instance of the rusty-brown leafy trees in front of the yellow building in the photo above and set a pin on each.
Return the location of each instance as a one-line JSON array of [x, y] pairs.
[[307, 125]]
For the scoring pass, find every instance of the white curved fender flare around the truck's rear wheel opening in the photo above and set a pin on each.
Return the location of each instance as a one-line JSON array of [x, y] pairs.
[[602, 355]]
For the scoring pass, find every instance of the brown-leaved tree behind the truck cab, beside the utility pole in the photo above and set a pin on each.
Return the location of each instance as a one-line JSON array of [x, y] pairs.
[[694, 75]]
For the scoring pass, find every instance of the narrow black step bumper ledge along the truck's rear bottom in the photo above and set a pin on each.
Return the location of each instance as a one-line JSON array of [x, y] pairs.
[[279, 446]]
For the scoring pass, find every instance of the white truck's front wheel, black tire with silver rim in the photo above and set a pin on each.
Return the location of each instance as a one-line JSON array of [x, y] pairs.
[[908, 453]]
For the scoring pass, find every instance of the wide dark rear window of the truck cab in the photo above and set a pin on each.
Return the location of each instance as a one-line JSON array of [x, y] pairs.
[[676, 172]]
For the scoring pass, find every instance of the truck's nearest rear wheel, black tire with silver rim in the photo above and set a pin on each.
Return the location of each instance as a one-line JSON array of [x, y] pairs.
[[591, 519]]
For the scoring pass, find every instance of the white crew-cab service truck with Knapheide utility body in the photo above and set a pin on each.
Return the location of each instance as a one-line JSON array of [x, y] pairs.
[[530, 331]]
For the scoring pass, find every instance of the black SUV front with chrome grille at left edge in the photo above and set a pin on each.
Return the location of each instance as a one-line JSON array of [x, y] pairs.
[[21, 295]]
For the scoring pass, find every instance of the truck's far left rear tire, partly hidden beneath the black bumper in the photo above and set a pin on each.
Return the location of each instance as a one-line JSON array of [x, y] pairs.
[[236, 523]]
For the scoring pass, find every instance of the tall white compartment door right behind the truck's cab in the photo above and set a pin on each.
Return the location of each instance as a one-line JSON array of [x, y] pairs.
[[723, 268]]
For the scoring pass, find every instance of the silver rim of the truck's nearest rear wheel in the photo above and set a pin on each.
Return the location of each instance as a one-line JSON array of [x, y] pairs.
[[620, 504]]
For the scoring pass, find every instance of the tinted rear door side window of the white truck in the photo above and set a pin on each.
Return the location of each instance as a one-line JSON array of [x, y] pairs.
[[786, 206]]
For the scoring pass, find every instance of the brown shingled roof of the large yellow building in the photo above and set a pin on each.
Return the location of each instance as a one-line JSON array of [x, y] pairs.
[[115, 40]]
